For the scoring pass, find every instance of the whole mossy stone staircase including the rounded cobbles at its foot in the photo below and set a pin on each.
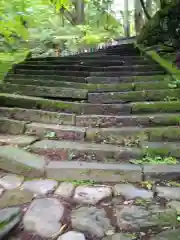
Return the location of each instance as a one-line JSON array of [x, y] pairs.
[[85, 120]]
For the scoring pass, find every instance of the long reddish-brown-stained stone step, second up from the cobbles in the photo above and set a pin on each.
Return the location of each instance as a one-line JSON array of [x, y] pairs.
[[69, 150]]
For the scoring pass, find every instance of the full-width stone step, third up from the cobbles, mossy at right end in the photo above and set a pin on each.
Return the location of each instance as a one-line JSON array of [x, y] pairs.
[[126, 136]]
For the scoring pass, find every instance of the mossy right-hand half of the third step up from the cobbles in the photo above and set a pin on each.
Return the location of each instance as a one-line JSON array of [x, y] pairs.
[[132, 136]]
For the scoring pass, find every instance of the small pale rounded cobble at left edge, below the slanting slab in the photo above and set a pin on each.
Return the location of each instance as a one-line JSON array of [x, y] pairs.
[[11, 181]]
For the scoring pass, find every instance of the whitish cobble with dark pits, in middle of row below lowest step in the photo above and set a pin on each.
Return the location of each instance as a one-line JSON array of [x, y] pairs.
[[91, 195]]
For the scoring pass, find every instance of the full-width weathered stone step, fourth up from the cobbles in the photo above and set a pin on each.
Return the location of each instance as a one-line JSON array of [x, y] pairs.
[[147, 120]]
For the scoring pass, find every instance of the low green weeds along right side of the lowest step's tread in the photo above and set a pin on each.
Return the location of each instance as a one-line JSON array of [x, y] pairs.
[[148, 159]]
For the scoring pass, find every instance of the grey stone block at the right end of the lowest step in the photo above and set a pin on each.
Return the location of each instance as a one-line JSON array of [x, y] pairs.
[[162, 172]]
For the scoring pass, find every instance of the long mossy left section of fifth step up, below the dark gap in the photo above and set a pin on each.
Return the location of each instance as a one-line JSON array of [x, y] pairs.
[[11, 100]]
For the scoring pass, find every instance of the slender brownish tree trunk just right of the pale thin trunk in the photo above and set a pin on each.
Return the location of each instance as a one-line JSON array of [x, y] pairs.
[[138, 16]]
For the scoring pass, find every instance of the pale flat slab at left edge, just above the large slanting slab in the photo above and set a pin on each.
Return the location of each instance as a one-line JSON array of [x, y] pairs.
[[20, 140]]
